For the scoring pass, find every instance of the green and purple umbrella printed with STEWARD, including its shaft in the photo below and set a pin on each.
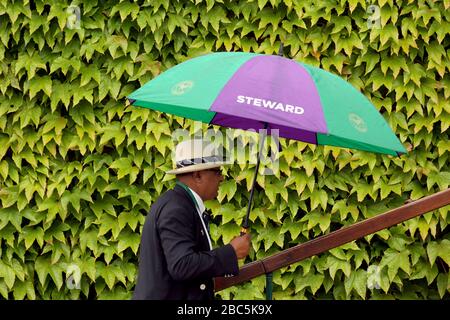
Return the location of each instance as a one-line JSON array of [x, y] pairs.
[[255, 91]]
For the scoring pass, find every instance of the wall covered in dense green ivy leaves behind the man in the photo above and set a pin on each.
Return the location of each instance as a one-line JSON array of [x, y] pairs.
[[79, 168]]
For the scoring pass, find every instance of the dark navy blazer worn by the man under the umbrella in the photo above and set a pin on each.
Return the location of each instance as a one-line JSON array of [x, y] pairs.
[[175, 261]]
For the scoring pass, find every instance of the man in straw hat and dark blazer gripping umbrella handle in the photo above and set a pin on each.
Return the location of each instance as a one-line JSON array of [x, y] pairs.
[[176, 257]]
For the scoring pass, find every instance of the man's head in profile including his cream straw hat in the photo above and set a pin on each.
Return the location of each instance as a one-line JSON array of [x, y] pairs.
[[198, 166]]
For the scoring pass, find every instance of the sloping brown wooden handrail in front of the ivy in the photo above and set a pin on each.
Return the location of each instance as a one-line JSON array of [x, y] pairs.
[[335, 239]]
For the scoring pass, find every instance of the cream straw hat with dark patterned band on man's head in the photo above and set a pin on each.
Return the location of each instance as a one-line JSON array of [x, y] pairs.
[[195, 155]]
